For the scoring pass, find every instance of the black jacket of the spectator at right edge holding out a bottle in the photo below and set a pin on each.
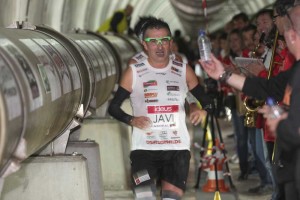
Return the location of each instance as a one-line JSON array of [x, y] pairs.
[[288, 132]]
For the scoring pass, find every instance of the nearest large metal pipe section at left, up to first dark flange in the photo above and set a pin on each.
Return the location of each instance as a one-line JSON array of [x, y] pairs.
[[46, 77]]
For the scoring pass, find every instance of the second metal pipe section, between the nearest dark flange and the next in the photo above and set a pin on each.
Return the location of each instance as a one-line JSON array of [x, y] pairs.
[[103, 62]]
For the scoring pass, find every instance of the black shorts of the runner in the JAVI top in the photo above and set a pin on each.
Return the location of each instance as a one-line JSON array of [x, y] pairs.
[[170, 166]]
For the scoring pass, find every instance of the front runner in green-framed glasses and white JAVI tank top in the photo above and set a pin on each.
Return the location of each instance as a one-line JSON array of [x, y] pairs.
[[157, 87]]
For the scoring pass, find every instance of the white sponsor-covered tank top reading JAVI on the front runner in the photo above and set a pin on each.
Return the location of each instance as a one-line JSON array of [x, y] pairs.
[[160, 94]]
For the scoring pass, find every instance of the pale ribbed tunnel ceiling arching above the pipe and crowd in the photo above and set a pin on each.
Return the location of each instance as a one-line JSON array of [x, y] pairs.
[[186, 15]]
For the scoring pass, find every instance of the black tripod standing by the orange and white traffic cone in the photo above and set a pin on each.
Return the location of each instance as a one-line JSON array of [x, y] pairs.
[[212, 120]]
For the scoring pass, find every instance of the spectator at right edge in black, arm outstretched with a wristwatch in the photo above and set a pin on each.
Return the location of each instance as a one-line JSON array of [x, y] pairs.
[[283, 87]]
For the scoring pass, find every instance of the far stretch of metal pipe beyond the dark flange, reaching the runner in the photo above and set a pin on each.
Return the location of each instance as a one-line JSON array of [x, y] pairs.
[[111, 53]]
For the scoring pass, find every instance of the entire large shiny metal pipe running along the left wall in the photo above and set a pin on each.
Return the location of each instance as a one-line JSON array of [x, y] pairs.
[[48, 79]]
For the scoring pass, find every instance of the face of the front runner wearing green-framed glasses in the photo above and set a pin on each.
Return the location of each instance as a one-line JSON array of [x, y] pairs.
[[159, 51]]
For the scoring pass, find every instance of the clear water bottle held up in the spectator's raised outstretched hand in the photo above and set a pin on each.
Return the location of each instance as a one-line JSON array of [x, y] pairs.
[[204, 46]]
